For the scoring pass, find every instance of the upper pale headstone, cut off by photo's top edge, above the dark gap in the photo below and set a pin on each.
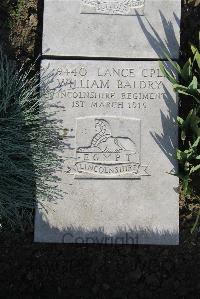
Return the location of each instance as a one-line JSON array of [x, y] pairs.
[[68, 32]]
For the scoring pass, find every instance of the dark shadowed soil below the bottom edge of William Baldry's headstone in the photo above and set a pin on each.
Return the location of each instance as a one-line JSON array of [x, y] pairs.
[[30, 270]]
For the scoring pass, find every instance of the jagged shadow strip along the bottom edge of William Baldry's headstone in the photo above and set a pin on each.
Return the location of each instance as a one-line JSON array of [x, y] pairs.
[[78, 235]]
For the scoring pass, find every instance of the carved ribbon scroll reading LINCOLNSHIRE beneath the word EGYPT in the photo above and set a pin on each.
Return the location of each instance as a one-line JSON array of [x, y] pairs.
[[90, 169]]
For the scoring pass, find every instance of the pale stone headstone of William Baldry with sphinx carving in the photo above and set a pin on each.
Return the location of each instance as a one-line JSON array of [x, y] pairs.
[[120, 146]]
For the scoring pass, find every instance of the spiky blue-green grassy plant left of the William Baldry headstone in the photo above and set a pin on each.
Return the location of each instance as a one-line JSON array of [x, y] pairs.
[[29, 145]]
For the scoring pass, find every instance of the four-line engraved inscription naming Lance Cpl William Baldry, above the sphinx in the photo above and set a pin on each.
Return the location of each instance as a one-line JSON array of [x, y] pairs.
[[111, 88]]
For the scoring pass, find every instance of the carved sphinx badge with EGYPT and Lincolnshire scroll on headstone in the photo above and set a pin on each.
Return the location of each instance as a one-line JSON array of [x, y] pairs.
[[107, 147]]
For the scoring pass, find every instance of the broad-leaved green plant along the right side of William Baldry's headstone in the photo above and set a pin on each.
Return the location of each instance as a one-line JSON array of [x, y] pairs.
[[186, 81]]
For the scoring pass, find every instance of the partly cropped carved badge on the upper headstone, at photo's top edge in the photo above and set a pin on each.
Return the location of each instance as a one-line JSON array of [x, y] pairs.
[[121, 7]]
